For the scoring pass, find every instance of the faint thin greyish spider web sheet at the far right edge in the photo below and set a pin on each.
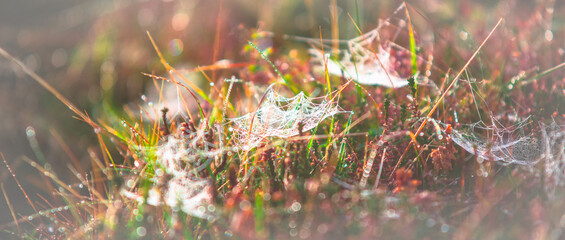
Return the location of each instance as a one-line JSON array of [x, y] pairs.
[[511, 146]]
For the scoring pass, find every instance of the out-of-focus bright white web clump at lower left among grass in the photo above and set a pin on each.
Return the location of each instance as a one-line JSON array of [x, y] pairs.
[[179, 156]]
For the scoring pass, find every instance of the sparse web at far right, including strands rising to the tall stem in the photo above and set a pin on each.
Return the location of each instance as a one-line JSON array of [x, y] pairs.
[[526, 142]]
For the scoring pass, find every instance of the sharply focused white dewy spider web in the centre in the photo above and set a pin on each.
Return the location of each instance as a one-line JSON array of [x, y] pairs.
[[282, 117]]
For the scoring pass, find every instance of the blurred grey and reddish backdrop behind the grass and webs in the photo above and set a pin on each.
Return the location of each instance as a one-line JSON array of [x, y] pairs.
[[94, 53]]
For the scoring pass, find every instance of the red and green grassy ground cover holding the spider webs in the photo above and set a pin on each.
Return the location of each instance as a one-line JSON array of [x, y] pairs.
[[409, 128]]
